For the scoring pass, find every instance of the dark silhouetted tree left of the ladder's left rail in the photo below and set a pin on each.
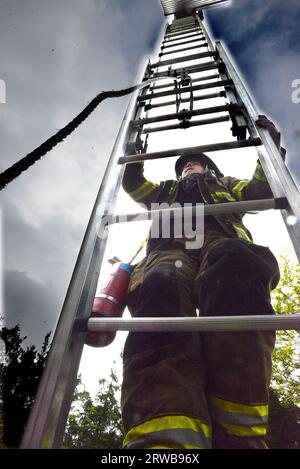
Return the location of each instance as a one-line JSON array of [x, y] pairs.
[[20, 371]]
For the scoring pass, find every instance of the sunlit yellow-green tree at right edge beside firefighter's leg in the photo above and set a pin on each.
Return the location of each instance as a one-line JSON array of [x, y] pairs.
[[284, 423]]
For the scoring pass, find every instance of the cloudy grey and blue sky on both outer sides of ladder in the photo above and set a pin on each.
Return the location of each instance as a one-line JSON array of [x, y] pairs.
[[55, 56]]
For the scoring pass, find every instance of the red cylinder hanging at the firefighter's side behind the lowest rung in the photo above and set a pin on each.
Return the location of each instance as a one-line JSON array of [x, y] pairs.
[[110, 302]]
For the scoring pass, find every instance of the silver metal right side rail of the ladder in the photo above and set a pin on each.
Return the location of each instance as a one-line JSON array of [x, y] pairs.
[[278, 175]]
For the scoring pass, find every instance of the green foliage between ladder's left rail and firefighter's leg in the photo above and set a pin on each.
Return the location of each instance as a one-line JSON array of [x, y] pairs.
[[95, 424]]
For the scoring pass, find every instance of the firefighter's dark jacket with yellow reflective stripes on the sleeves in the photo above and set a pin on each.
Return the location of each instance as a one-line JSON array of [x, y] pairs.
[[213, 190]]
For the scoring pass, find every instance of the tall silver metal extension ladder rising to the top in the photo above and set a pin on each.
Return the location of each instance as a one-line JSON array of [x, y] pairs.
[[211, 70]]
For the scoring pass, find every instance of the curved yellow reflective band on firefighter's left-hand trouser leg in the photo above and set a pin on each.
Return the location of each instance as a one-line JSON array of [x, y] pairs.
[[170, 422]]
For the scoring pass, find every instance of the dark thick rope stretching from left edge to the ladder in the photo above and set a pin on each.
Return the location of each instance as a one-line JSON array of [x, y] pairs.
[[23, 164]]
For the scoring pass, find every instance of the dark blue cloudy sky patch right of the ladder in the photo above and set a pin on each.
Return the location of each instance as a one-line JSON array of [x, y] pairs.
[[264, 39]]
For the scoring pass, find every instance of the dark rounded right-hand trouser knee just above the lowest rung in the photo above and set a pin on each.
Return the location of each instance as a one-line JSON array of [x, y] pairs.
[[237, 281]]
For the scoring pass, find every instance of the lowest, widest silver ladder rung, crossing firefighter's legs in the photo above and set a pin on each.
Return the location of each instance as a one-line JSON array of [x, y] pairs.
[[215, 323]]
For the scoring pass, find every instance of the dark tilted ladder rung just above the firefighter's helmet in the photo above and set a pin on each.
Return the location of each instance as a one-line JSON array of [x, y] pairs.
[[190, 150]]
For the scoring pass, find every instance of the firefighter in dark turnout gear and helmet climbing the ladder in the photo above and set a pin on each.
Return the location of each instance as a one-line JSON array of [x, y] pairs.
[[190, 389]]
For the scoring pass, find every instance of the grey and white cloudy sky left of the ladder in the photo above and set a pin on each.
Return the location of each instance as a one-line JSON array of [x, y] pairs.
[[55, 57]]
